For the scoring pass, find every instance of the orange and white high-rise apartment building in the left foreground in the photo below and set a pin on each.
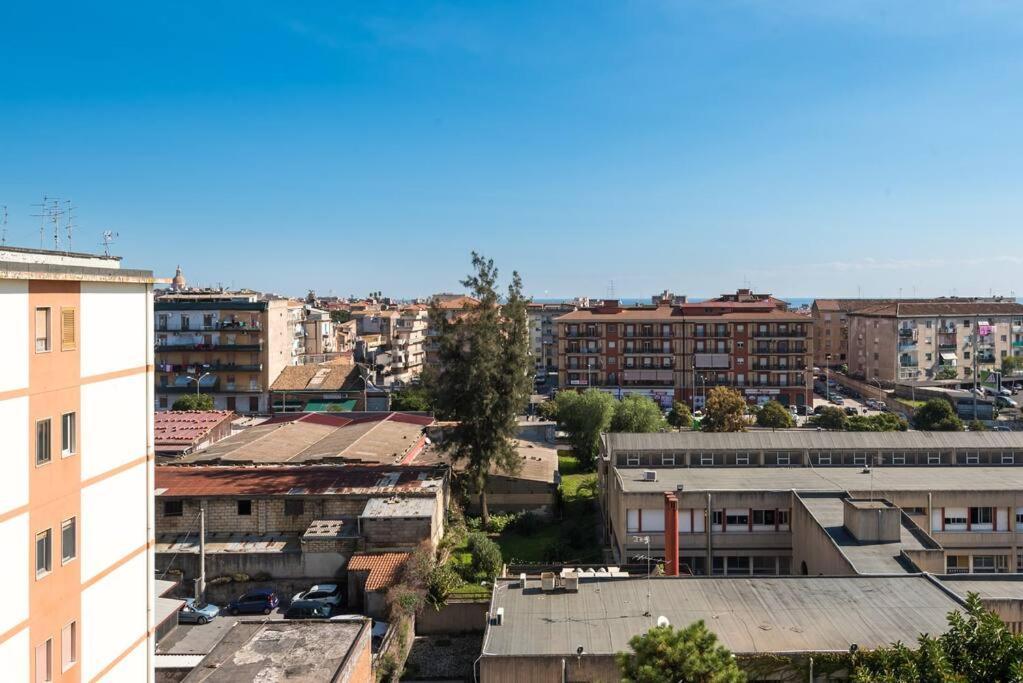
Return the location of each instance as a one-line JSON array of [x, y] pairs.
[[76, 480]]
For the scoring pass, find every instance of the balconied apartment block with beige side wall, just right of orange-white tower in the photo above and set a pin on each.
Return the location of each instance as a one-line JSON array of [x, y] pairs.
[[230, 345]]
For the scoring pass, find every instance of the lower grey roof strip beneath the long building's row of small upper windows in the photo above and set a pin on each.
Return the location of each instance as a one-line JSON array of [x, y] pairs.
[[919, 478]]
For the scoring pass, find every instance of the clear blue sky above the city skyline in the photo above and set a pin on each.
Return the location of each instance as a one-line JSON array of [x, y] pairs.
[[807, 148]]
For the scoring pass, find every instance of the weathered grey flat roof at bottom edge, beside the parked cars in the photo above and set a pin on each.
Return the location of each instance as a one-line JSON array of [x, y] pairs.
[[303, 652]]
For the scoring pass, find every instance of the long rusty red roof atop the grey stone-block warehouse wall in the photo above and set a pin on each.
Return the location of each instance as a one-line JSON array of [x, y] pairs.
[[207, 481]]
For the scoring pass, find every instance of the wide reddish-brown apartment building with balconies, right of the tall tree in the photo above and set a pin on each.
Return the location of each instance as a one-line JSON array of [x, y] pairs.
[[680, 352]]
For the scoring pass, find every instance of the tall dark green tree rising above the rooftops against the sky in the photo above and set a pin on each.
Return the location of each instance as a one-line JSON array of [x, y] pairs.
[[484, 379]]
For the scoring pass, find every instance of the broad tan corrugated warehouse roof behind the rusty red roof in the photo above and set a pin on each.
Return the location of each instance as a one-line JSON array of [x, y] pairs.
[[310, 438]]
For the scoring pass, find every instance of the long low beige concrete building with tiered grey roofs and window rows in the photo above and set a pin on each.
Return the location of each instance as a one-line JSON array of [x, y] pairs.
[[818, 503]]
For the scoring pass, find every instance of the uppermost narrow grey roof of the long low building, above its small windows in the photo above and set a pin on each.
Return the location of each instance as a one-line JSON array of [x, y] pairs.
[[758, 440]]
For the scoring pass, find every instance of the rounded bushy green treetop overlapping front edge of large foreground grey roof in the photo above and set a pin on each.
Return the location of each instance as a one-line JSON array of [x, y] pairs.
[[666, 655]]
